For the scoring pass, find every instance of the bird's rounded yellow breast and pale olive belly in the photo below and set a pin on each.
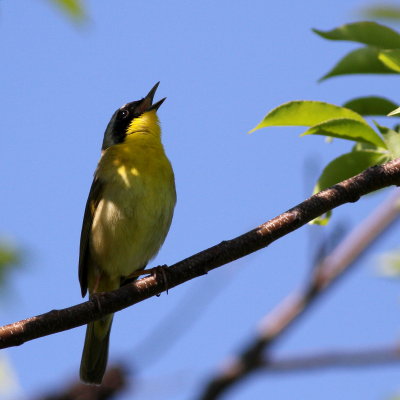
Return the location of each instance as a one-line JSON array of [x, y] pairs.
[[135, 213]]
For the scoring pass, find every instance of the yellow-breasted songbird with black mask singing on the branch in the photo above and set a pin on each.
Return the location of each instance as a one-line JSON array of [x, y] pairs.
[[127, 216]]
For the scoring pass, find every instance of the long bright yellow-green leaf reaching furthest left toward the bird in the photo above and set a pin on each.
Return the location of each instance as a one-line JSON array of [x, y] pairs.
[[305, 113]]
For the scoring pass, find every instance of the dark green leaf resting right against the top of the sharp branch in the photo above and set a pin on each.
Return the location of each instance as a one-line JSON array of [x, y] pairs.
[[346, 166]]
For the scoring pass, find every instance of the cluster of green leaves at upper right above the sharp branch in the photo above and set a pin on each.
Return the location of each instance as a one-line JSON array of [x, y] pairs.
[[371, 144]]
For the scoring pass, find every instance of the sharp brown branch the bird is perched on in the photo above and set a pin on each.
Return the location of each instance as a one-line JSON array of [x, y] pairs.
[[350, 190]]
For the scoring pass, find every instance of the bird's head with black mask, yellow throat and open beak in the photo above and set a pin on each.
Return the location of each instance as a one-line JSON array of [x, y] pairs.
[[137, 117]]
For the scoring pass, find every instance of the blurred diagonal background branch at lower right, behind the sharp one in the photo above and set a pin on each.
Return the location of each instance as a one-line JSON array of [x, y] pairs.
[[280, 319]]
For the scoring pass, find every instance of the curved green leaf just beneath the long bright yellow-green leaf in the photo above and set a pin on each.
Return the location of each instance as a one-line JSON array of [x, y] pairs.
[[348, 129]]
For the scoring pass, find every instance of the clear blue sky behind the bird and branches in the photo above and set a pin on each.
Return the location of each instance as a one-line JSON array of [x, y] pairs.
[[222, 66]]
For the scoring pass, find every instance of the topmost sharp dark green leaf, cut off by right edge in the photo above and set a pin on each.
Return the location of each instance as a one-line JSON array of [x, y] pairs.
[[369, 33]]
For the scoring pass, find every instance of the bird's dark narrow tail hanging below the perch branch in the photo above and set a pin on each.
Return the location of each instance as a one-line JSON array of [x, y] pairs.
[[95, 350]]
